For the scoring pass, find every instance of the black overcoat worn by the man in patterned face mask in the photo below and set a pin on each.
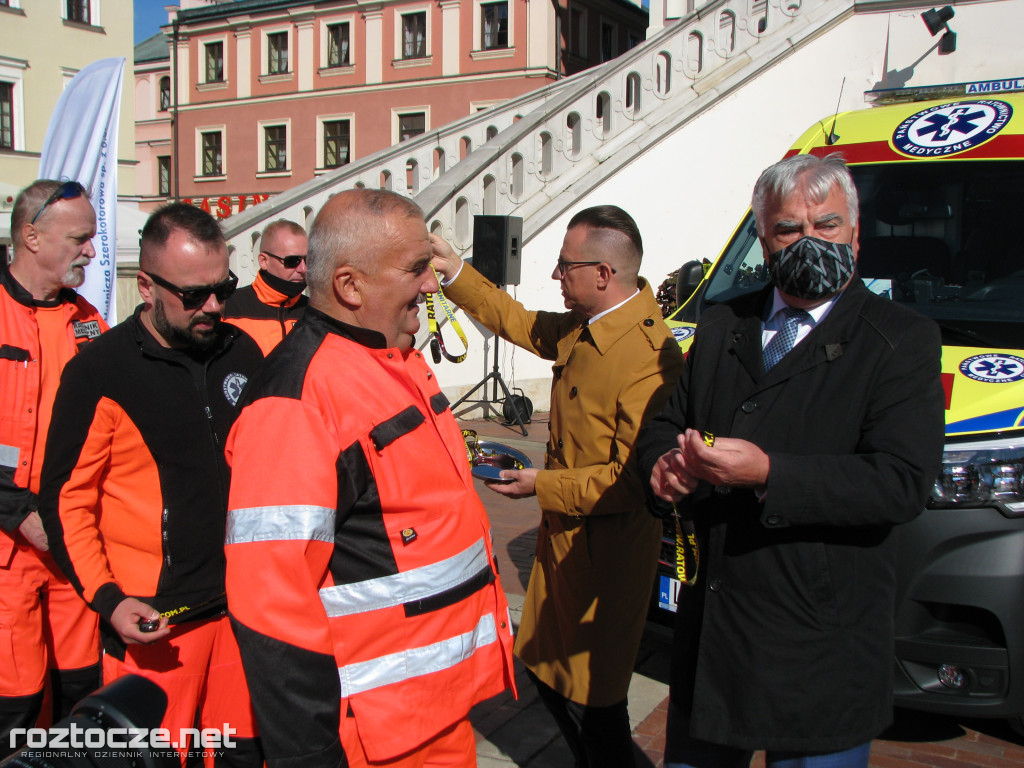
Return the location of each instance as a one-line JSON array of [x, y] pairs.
[[787, 643]]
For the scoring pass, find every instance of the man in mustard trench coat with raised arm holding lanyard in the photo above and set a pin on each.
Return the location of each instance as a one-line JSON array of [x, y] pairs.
[[616, 363]]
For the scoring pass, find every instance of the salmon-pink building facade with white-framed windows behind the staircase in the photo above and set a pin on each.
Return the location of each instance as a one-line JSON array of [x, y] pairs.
[[270, 94]]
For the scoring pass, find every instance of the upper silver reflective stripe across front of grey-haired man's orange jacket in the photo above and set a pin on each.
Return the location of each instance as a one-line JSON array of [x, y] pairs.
[[386, 592]]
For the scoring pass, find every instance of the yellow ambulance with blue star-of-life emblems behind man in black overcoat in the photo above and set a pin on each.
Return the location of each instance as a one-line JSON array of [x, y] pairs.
[[942, 188]]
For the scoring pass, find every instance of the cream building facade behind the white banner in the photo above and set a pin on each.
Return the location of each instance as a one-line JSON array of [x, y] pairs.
[[42, 47]]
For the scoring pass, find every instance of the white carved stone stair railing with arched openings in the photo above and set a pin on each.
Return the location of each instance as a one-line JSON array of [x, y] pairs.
[[534, 156]]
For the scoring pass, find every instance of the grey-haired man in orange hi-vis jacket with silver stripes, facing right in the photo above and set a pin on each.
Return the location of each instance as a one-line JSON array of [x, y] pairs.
[[367, 595]]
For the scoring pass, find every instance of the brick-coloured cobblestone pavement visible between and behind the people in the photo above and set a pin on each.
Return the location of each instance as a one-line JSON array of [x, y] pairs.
[[520, 733]]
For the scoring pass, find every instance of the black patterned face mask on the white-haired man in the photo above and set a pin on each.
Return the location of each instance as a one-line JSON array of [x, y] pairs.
[[812, 269]]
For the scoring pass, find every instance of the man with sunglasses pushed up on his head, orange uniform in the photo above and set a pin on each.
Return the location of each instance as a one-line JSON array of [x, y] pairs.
[[44, 325]]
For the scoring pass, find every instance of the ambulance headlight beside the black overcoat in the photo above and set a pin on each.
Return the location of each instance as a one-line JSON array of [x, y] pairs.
[[983, 475]]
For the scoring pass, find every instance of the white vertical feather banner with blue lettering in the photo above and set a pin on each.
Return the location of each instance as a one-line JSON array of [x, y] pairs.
[[82, 146]]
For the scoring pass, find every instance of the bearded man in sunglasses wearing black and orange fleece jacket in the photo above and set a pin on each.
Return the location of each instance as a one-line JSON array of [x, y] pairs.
[[136, 484]]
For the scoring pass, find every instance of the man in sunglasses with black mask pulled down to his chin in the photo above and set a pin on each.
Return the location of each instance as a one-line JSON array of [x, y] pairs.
[[273, 305]]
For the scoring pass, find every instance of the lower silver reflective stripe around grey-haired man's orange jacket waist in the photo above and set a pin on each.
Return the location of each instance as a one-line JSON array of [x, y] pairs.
[[395, 668]]
